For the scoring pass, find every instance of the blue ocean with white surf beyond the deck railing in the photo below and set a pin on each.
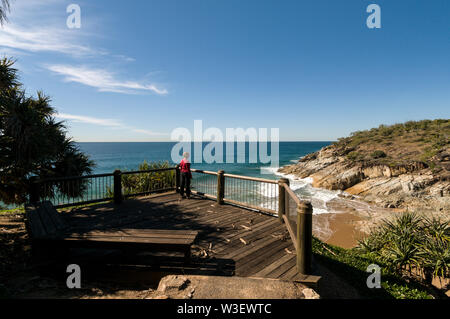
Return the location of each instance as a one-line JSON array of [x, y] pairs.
[[127, 156]]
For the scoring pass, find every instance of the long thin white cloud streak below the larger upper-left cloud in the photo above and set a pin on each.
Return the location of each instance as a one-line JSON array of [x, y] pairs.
[[103, 80]]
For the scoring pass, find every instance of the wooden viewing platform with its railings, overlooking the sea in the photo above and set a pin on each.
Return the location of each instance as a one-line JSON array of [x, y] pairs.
[[248, 227]]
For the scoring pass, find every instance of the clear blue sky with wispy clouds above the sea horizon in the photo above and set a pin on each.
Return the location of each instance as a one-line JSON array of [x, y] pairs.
[[136, 70]]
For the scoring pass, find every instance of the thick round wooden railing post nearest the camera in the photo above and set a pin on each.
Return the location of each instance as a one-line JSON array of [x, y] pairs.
[[304, 237]]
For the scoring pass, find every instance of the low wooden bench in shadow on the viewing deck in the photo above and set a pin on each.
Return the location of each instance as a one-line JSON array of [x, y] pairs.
[[48, 228]]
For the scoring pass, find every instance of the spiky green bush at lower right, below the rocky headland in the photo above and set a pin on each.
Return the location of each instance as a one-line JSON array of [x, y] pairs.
[[408, 242]]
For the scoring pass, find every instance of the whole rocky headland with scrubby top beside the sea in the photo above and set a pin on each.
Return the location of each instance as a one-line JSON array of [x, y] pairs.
[[403, 167]]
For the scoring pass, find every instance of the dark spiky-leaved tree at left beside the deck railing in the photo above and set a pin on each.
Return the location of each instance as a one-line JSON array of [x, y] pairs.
[[32, 142]]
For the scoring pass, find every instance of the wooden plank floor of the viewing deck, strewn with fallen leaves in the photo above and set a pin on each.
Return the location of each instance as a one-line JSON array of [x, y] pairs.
[[231, 241]]
